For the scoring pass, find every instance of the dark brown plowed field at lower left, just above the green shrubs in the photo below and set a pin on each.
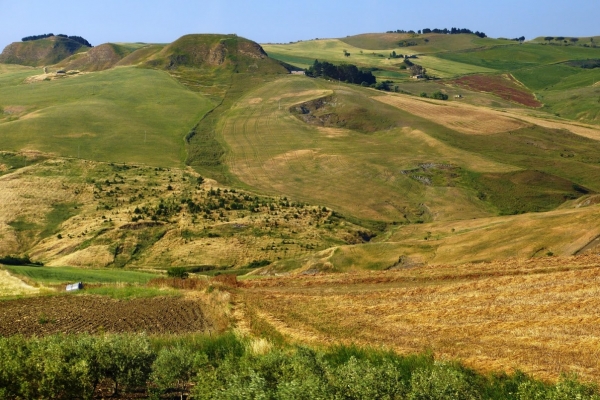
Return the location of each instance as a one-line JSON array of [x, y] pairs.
[[94, 314]]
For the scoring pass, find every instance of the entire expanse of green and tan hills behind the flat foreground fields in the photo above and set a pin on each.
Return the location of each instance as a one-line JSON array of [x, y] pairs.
[[398, 166]]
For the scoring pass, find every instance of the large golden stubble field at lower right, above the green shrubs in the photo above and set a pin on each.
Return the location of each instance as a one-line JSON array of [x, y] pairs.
[[537, 315]]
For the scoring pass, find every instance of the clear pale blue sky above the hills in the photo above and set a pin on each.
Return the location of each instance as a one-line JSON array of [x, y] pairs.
[[279, 21]]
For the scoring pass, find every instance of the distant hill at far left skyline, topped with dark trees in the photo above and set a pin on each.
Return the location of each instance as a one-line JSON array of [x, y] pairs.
[[37, 53]]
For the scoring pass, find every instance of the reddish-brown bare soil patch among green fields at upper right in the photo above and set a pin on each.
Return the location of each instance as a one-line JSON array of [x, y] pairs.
[[504, 86]]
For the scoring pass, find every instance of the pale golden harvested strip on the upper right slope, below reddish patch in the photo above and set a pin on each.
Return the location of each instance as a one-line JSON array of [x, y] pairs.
[[462, 118]]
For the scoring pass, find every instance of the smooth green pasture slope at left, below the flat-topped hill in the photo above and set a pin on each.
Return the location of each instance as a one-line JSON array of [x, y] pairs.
[[120, 115]]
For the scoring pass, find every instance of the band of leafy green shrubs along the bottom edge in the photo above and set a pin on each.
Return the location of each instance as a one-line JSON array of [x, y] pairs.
[[226, 367]]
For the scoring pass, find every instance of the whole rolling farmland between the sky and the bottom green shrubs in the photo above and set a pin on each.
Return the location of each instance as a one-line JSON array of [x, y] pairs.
[[454, 213]]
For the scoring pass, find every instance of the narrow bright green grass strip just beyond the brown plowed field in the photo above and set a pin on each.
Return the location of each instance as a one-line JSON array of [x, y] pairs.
[[59, 275]]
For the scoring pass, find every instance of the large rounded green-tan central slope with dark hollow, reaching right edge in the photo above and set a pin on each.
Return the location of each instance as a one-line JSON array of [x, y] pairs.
[[273, 151]]
